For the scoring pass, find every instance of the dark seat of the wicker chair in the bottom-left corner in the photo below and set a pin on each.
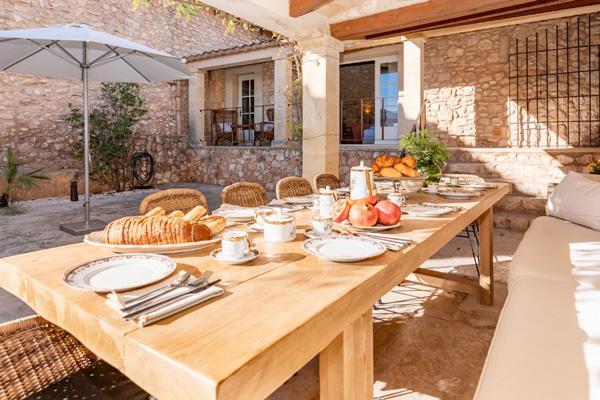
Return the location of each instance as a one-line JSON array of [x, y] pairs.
[[99, 381]]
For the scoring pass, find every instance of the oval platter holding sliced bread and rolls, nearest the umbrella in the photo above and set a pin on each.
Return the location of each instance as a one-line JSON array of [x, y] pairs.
[[160, 232]]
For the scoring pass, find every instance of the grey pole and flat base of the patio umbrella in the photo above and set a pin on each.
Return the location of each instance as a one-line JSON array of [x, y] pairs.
[[88, 225]]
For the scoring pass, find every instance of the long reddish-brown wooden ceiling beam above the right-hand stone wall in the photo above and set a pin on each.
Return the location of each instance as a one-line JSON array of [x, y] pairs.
[[436, 14]]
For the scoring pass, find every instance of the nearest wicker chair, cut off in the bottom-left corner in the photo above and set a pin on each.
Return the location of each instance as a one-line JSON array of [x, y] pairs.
[[38, 360]]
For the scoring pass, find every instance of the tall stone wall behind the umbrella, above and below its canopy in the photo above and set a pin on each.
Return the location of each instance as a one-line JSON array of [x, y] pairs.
[[32, 109]]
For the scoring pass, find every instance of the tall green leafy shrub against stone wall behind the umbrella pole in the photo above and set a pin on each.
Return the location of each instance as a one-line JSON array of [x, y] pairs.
[[112, 132]]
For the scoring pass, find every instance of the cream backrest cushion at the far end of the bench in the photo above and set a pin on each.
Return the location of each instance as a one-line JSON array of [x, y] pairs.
[[576, 199]]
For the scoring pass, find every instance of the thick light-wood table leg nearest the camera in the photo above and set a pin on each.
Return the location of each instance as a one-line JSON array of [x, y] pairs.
[[346, 364]]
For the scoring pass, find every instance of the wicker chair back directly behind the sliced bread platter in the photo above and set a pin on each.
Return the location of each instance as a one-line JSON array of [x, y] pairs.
[[173, 199]]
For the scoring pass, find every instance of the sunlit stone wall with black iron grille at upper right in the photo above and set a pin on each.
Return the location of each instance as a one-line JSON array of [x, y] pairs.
[[467, 85]]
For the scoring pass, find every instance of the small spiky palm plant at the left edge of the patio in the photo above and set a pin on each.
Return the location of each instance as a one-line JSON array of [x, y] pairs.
[[11, 177]]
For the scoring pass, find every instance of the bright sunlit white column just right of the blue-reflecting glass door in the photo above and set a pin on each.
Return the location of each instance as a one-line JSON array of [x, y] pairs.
[[412, 76]]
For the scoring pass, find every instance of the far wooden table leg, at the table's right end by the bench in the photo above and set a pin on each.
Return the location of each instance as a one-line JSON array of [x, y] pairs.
[[486, 254]]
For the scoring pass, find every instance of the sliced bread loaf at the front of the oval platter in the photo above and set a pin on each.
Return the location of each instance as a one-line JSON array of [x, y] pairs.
[[140, 230]]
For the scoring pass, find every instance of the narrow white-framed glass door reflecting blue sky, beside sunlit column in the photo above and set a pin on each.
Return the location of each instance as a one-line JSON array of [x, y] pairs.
[[386, 102]]
